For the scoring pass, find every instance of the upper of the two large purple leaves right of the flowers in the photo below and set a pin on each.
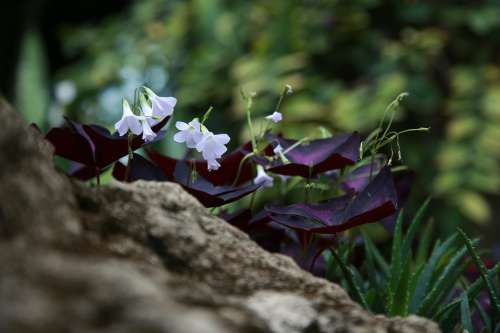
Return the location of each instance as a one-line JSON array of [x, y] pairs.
[[317, 156]]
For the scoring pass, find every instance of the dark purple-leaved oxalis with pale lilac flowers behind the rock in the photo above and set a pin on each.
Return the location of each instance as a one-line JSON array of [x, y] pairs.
[[356, 190]]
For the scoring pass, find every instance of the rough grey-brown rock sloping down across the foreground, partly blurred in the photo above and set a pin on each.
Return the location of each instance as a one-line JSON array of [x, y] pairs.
[[144, 257]]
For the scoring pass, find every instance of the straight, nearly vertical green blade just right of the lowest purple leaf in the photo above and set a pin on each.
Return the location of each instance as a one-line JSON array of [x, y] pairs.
[[395, 268]]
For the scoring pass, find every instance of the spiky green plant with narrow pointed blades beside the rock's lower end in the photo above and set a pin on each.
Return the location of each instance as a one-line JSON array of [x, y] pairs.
[[418, 281]]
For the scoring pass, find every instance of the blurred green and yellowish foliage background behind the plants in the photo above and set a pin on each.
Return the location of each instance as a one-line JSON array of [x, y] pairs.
[[346, 61]]
